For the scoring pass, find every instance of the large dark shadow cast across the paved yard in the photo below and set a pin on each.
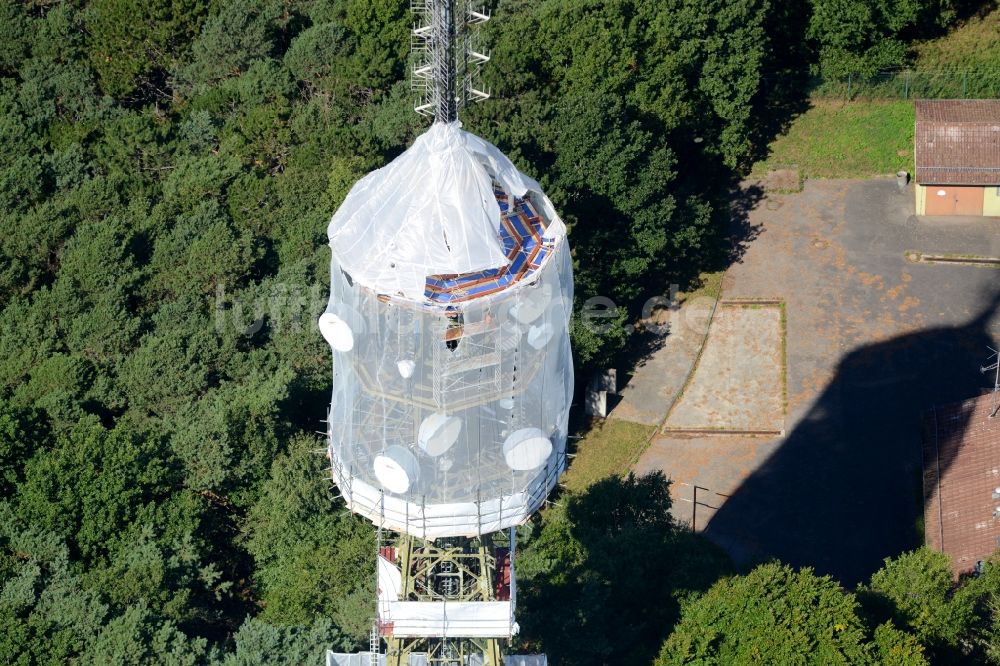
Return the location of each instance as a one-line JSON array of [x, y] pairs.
[[843, 490]]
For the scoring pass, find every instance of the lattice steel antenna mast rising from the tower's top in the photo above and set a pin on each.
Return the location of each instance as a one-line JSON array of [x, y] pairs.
[[446, 58]]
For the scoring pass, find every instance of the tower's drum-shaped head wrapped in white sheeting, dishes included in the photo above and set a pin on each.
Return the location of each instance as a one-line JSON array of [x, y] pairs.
[[451, 293]]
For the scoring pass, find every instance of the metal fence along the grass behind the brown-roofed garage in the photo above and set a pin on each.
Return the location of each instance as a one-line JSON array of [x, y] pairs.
[[909, 84]]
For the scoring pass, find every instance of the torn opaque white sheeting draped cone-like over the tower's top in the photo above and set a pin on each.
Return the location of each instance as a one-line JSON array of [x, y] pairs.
[[430, 211]]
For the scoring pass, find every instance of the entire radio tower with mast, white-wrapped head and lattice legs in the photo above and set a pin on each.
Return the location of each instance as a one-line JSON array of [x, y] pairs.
[[451, 295]]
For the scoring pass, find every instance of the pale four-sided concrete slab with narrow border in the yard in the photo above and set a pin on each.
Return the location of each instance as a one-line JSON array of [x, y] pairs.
[[738, 384]]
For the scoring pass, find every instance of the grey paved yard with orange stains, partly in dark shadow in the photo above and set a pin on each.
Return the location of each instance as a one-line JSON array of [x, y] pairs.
[[872, 341]]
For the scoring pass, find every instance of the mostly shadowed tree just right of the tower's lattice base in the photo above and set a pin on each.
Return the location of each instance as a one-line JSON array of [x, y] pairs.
[[601, 580]]
